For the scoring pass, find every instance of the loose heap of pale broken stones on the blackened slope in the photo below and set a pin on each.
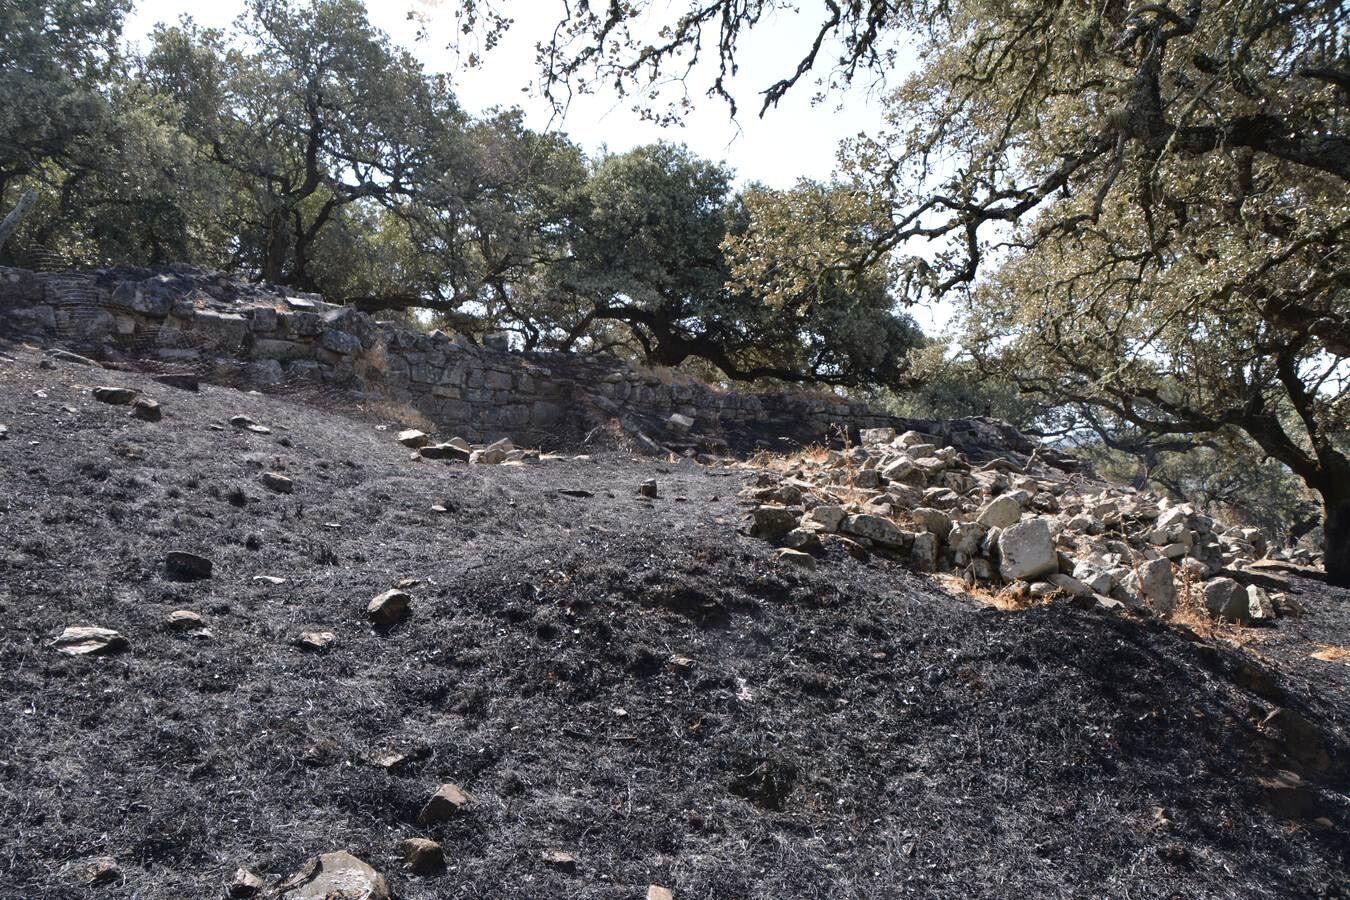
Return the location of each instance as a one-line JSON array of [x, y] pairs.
[[1024, 523]]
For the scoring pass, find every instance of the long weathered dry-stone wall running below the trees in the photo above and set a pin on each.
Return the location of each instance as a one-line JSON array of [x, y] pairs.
[[230, 331]]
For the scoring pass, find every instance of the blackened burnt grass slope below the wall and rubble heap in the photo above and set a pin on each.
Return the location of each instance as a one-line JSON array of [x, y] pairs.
[[844, 733]]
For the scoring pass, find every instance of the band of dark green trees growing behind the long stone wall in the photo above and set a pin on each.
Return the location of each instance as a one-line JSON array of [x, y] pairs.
[[302, 148]]
